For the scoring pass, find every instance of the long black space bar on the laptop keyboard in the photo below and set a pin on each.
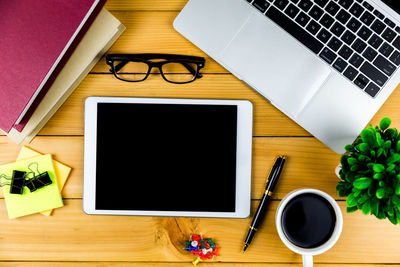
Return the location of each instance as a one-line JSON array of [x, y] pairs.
[[295, 30]]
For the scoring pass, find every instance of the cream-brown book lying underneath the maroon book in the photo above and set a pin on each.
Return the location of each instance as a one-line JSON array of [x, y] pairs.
[[104, 31]]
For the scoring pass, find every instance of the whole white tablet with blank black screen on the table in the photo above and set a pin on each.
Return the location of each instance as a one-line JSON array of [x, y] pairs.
[[167, 157]]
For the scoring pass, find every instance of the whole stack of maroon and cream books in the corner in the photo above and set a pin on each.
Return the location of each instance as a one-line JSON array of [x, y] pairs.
[[47, 48]]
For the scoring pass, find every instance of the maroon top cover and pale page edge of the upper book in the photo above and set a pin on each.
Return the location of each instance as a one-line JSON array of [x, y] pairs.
[[35, 37]]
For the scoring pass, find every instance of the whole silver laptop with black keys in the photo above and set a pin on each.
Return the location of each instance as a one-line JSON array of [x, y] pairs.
[[329, 65]]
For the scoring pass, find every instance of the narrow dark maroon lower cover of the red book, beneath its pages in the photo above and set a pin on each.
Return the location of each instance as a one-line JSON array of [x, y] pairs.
[[20, 126]]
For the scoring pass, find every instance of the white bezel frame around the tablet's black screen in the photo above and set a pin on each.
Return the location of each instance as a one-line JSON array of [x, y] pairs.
[[243, 156]]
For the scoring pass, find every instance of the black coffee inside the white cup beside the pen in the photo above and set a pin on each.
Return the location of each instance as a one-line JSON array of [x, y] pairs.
[[308, 220]]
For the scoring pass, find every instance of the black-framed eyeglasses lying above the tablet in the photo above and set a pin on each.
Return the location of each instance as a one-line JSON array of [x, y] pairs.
[[173, 68]]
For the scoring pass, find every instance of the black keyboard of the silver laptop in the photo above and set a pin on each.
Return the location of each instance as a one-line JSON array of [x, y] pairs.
[[357, 40]]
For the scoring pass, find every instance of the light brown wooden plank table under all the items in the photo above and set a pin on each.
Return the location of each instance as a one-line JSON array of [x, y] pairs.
[[71, 238]]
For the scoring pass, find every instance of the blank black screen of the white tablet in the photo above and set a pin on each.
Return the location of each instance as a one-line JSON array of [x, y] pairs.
[[166, 157]]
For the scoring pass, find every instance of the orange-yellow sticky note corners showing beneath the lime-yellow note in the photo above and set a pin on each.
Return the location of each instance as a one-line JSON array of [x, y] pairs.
[[62, 170]]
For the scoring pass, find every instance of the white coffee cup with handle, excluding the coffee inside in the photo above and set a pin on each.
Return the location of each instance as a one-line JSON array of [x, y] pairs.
[[308, 253]]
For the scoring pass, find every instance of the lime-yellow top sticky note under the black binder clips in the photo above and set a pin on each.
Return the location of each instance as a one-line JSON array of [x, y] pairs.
[[45, 198]]
